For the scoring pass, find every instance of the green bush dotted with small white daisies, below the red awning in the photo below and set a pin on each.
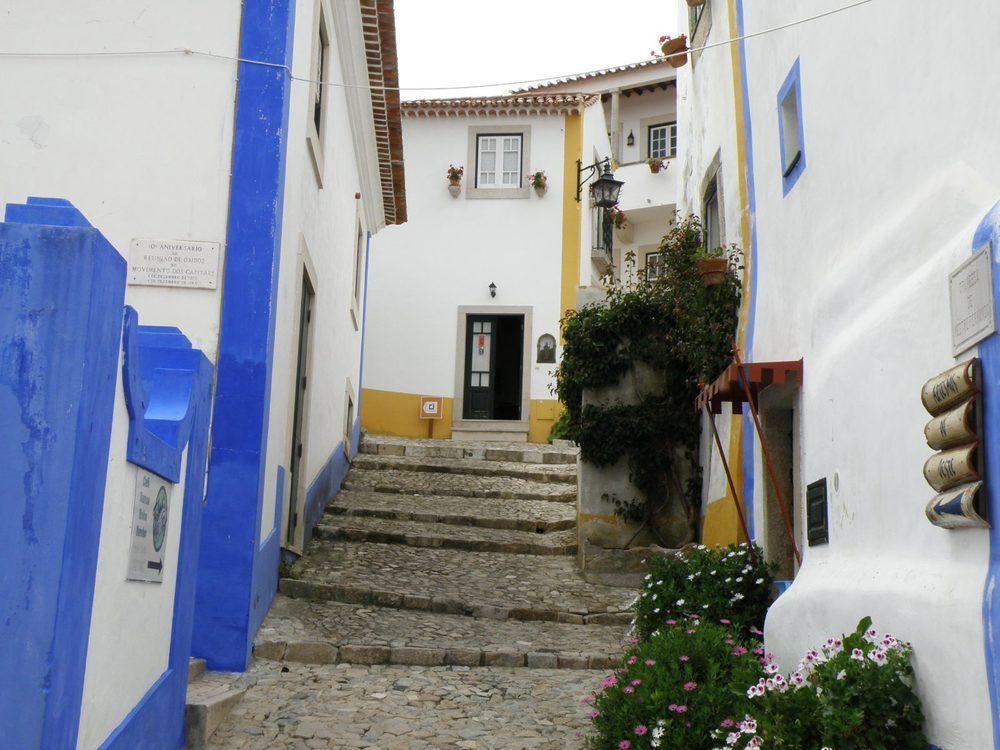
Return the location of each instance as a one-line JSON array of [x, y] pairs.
[[728, 583]]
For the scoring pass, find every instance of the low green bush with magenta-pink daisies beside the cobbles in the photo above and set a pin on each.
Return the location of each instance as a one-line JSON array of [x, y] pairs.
[[671, 690]]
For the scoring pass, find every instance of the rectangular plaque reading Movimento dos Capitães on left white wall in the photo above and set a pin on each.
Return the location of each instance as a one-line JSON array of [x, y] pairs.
[[180, 263]]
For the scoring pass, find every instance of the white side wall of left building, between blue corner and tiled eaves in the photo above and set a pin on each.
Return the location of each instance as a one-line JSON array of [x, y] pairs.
[[319, 221]]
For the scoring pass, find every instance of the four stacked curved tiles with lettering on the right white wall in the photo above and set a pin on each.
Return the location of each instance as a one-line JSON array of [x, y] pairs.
[[955, 472]]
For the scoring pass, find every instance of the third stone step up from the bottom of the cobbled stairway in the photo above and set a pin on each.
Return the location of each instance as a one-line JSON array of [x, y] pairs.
[[445, 536]]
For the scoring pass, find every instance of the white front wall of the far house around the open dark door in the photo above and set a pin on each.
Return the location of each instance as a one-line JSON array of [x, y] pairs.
[[450, 250]]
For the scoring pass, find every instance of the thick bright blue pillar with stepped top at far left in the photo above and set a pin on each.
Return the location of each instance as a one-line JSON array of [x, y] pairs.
[[62, 290]]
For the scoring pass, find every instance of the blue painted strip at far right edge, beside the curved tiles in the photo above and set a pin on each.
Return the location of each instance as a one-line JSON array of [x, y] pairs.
[[988, 233]]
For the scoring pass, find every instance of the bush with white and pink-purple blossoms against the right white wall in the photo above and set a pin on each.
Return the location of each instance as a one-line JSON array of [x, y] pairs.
[[855, 693]]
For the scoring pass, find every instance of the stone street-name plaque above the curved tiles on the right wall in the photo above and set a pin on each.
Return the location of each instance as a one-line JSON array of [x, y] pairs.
[[971, 293]]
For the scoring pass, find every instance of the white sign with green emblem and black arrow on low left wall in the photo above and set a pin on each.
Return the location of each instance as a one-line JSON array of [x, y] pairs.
[[150, 512]]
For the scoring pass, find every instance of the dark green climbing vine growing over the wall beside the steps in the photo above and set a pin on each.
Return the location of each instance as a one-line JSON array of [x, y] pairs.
[[678, 330]]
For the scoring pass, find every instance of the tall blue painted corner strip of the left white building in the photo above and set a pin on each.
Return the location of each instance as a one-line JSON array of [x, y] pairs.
[[226, 593]]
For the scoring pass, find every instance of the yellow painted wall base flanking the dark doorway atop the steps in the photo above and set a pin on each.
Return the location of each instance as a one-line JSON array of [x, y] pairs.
[[392, 413]]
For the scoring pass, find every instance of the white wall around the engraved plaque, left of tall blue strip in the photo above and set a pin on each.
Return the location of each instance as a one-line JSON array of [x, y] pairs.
[[142, 144]]
